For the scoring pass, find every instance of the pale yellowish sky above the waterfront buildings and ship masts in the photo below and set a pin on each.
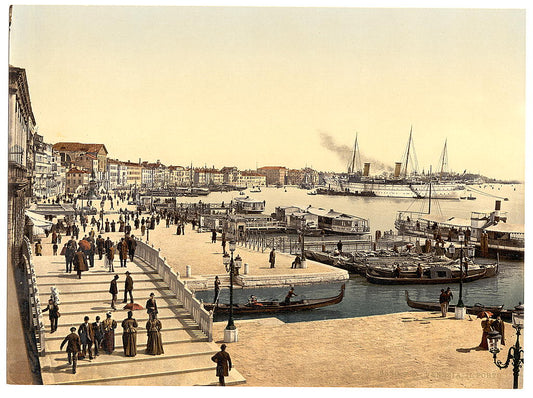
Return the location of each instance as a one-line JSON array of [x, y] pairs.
[[258, 86]]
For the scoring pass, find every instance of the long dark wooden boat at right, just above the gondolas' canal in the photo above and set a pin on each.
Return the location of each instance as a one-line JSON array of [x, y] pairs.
[[434, 278]]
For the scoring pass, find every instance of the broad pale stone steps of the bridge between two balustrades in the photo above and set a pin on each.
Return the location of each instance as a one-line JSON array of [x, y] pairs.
[[187, 357]]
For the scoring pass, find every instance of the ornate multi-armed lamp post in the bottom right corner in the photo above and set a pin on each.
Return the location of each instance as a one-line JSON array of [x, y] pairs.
[[516, 353]]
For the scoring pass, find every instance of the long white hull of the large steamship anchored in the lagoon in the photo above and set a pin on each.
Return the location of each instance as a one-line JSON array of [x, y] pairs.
[[438, 191]]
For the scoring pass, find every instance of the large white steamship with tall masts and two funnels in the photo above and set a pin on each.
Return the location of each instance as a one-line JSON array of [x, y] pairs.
[[359, 183]]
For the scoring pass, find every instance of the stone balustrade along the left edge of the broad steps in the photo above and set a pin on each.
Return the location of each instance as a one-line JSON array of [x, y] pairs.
[[34, 303]]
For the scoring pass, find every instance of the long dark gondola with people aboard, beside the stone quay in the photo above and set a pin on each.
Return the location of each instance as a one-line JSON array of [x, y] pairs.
[[276, 306]]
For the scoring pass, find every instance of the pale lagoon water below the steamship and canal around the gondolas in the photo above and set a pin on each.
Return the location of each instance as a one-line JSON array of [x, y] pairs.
[[363, 298]]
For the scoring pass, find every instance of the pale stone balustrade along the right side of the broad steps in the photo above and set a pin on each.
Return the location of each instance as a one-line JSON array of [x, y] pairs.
[[152, 256]]
